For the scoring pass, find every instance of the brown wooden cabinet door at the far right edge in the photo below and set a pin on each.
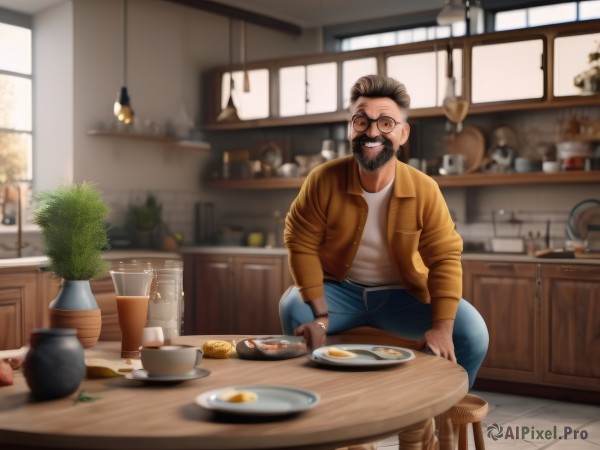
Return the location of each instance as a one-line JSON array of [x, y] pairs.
[[571, 331]]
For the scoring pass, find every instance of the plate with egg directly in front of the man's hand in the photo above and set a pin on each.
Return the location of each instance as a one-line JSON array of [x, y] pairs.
[[321, 356]]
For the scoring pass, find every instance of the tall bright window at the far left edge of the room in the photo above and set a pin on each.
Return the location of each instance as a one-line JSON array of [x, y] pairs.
[[15, 103]]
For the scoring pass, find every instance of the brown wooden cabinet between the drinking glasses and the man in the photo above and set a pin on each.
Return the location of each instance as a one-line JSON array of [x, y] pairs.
[[233, 294]]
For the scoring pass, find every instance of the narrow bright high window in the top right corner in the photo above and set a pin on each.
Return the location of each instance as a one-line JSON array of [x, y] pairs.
[[547, 15]]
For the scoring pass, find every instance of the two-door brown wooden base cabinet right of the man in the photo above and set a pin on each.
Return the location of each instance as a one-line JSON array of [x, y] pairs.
[[543, 321]]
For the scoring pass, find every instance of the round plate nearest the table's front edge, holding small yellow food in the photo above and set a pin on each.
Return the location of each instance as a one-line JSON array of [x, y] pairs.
[[271, 401]]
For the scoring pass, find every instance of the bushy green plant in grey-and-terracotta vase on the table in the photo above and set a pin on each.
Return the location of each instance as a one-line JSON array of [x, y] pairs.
[[74, 234]]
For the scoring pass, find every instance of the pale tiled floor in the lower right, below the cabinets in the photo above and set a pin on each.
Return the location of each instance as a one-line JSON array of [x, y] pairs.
[[541, 424]]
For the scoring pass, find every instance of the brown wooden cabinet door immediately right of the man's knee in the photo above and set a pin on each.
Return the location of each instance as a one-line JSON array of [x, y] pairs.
[[505, 295]]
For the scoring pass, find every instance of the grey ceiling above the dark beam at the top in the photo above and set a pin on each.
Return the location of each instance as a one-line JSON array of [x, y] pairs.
[[301, 13]]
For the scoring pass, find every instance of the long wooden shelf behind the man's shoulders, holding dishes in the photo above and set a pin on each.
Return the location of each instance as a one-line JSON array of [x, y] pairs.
[[469, 180]]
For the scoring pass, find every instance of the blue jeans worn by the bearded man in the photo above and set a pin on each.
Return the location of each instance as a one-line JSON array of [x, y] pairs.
[[391, 309]]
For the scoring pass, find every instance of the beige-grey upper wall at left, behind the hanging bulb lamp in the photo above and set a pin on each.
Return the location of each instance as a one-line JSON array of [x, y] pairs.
[[79, 70]]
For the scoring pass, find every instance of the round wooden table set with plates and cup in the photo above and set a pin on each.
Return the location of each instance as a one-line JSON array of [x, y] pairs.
[[355, 406]]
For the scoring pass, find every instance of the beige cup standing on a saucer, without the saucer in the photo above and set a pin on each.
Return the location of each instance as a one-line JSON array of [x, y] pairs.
[[170, 359]]
